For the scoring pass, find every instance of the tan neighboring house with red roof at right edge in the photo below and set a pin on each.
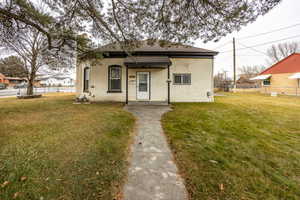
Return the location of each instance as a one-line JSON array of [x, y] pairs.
[[282, 77]]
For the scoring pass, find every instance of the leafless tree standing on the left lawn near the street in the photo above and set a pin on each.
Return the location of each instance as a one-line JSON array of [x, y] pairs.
[[28, 44]]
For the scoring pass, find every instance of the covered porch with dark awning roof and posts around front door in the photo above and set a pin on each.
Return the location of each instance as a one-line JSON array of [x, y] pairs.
[[147, 80]]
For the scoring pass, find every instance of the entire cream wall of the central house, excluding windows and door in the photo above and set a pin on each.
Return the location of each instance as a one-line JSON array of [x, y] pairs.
[[201, 81]]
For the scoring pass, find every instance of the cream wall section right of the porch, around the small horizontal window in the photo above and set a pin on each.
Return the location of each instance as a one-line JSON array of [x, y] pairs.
[[201, 80]]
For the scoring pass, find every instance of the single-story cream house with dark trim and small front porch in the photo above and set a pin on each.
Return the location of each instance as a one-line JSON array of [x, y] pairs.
[[151, 73]]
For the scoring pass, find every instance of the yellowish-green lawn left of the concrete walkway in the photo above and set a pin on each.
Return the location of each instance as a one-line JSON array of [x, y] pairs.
[[64, 151]]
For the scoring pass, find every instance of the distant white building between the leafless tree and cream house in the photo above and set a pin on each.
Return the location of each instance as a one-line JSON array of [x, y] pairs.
[[57, 81]]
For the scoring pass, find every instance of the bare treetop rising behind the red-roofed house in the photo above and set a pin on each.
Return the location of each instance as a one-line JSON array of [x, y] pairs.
[[282, 50]]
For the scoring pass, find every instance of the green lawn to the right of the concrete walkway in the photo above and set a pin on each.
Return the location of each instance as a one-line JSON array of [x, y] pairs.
[[243, 146]]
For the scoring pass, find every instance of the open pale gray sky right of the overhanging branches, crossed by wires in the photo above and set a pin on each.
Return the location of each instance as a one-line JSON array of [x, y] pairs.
[[287, 13]]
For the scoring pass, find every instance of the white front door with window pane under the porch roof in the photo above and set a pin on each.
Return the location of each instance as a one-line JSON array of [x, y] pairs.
[[143, 86]]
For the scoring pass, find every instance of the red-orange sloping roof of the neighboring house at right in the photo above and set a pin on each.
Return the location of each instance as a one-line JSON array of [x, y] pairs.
[[290, 64]]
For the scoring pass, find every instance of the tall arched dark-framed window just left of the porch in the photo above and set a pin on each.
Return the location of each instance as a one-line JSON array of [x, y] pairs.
[[114, 78]]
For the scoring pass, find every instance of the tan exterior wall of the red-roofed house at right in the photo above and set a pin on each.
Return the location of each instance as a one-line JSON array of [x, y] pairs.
[[281, 84]]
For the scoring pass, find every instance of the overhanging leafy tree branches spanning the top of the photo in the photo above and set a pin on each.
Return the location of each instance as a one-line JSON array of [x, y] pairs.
[[132, 20]]
